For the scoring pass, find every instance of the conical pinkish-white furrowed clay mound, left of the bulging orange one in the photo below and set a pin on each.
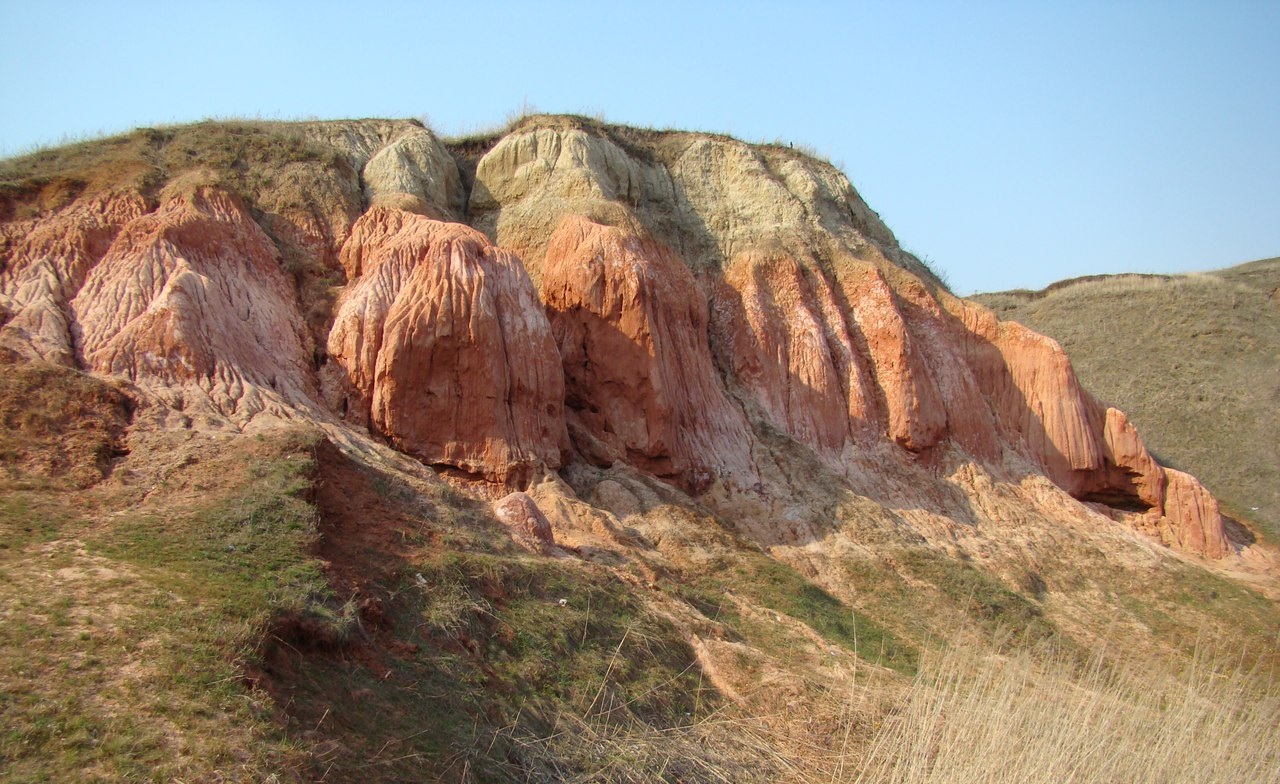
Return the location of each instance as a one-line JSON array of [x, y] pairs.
[[191, 303]]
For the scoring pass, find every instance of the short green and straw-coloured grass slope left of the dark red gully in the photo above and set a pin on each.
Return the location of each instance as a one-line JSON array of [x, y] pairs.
[[125, 650]]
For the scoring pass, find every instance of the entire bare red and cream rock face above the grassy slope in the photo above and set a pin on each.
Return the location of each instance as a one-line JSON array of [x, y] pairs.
[[688, 307]]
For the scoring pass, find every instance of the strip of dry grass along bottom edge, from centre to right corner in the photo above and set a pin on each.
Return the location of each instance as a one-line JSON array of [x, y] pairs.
[[968, 718]]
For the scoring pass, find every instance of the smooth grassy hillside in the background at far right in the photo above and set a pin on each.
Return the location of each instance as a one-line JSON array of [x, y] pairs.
[[1195, 361]]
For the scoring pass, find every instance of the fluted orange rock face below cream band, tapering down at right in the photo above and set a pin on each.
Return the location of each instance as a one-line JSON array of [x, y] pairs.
[[840, 361]]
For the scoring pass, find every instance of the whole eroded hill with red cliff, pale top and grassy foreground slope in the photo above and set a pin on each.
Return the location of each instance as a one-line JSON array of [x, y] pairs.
[[341, 452]]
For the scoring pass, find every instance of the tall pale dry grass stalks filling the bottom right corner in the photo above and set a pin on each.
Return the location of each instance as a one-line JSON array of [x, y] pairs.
[[972, 719]]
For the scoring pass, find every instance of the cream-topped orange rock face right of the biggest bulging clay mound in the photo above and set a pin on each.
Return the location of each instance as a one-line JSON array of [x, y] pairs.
[[835, 336]]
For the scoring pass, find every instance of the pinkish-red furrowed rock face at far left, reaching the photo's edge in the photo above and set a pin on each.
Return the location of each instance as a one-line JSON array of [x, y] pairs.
[[188, 299]]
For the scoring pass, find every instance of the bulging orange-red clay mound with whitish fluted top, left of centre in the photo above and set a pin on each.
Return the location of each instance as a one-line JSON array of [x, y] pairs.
[[446, 350]]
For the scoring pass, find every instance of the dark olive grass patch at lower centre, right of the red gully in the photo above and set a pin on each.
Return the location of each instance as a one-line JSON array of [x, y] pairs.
[[601, 642]]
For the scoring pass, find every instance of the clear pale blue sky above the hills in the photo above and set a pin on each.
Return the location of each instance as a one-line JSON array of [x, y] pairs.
[[1012, 144]]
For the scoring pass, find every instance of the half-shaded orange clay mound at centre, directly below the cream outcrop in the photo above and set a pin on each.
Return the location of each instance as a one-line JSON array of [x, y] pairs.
[[632, 329]]
